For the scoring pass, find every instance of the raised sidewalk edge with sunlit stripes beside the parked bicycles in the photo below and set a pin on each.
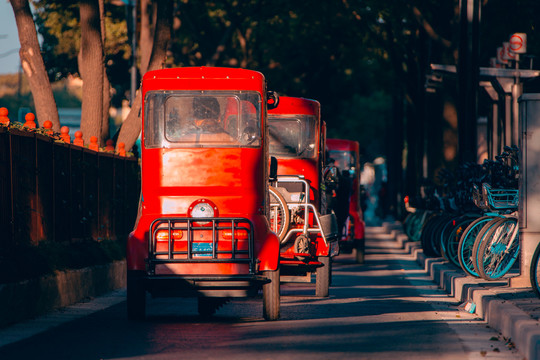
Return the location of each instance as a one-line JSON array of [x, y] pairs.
[[514, 312]]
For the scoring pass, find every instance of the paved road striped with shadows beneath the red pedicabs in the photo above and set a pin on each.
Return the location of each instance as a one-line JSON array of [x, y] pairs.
[[385, 309]]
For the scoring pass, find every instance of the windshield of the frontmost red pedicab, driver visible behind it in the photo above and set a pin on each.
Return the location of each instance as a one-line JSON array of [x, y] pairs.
[[202, 119]]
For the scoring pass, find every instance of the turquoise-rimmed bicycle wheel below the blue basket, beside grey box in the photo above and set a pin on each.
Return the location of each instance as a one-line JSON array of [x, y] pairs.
[[499, 250]]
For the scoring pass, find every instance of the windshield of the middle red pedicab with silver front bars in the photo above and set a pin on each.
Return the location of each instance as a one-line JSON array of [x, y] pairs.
[[292, 136]]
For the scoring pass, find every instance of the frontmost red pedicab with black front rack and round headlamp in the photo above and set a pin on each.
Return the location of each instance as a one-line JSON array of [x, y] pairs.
[[202, 229]]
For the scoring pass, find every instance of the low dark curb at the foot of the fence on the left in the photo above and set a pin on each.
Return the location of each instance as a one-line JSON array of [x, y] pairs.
[[30, 298]]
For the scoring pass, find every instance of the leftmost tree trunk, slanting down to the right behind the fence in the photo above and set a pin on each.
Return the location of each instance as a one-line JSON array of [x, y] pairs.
[[33, 66]]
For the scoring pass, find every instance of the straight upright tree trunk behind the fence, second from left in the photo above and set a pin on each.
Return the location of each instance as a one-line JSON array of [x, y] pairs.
[[92, 70]]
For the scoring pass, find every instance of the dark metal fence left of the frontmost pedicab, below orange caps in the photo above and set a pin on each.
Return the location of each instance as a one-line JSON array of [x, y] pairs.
[[56, 191]]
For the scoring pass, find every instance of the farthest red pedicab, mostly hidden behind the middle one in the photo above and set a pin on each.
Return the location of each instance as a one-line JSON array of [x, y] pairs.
[[346, 157]]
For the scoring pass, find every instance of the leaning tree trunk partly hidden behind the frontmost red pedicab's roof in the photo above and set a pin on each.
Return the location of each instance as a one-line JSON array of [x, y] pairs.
[[131, 127]]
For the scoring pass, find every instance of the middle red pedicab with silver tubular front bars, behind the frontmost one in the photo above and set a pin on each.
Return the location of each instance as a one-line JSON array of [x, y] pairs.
[[307, 231]]
